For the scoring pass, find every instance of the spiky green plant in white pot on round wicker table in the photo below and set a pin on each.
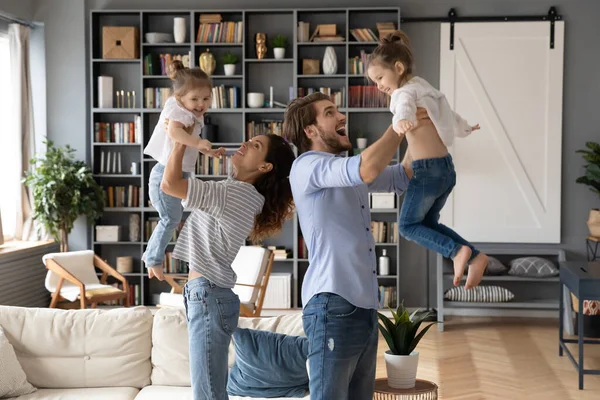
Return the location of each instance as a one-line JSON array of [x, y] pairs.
[[402, 337]]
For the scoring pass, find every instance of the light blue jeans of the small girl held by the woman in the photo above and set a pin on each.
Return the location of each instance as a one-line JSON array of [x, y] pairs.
[[170, 212]]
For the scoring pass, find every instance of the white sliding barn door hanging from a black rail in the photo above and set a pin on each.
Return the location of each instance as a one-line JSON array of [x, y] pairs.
[[505, 76]]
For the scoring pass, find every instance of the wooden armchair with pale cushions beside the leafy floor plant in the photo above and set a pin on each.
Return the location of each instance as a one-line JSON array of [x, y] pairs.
[[71, 276]]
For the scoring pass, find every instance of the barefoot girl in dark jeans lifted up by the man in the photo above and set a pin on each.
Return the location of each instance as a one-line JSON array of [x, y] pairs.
[[390, 66]]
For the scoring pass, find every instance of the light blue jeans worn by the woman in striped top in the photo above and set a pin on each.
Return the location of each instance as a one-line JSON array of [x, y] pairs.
[[212, 314]]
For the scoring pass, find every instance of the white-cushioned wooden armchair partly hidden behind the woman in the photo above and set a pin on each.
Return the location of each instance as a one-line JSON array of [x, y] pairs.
[[252, 266]]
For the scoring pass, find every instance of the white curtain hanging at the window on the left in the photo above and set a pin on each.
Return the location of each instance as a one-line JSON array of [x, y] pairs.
[[23, 111]]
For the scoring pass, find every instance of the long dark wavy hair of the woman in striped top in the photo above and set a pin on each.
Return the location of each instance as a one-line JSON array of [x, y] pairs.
[[276, 189]]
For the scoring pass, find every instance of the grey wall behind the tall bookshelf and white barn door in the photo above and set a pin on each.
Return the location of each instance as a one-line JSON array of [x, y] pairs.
[[67, 88]]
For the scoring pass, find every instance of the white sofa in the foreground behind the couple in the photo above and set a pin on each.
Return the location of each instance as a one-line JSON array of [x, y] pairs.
[[116, 354]]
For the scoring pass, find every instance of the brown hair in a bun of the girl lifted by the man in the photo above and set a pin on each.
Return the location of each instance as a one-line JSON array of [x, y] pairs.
[[393, 48]]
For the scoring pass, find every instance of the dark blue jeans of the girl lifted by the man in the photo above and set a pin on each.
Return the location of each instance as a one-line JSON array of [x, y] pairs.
[[427, 192]]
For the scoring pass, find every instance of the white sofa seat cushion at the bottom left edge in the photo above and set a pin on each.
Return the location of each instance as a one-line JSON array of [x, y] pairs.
[[115, 393]]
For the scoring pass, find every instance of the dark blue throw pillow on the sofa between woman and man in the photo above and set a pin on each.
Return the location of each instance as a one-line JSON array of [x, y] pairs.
[[268, 364]]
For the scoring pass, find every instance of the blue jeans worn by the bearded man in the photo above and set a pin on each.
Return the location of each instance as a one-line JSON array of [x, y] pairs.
[[342, 348]]
